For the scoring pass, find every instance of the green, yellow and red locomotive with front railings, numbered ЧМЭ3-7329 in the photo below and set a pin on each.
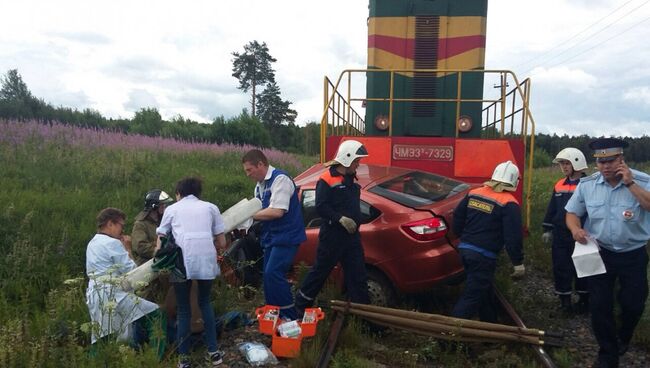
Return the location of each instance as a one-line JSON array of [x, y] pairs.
[[429, 102]]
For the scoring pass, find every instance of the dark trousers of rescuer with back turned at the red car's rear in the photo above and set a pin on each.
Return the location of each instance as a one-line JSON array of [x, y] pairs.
[[478, 296]]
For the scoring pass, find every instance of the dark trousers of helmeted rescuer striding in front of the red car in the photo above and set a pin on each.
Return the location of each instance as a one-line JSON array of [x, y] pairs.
[[349, 253]]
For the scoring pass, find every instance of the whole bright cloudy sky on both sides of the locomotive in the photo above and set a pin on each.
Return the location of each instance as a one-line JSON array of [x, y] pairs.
[[588, 60]]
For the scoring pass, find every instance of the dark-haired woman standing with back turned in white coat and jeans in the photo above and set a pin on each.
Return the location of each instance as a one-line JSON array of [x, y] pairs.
[[198, 229]]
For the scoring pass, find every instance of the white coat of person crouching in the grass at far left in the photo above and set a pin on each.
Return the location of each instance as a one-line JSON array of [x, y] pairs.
[[111, 308]]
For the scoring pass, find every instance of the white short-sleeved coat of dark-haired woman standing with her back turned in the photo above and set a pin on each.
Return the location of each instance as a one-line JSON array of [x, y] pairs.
[[194, 223]]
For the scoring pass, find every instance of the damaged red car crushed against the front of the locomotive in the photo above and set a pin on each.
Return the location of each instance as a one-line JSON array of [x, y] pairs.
[[405, 230]]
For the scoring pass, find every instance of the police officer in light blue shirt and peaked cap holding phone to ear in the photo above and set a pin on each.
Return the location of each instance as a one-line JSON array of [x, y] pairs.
[[616, 200]]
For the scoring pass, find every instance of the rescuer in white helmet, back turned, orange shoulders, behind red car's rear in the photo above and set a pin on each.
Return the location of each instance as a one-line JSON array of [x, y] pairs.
[[488, 218]]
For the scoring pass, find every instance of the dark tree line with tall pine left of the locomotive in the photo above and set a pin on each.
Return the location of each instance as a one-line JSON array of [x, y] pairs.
[[269, 124]]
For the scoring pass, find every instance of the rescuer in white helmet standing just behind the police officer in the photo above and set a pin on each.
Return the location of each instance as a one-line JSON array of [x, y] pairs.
[[573, 164]]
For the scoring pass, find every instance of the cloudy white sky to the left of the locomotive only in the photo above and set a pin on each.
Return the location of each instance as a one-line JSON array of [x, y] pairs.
[[177, 54]]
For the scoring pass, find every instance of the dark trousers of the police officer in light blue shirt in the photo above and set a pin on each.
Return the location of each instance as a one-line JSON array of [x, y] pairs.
[[630, 268]]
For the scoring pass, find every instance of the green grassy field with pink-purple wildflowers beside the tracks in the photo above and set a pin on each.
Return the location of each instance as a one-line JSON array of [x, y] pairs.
[[54, 179]]
